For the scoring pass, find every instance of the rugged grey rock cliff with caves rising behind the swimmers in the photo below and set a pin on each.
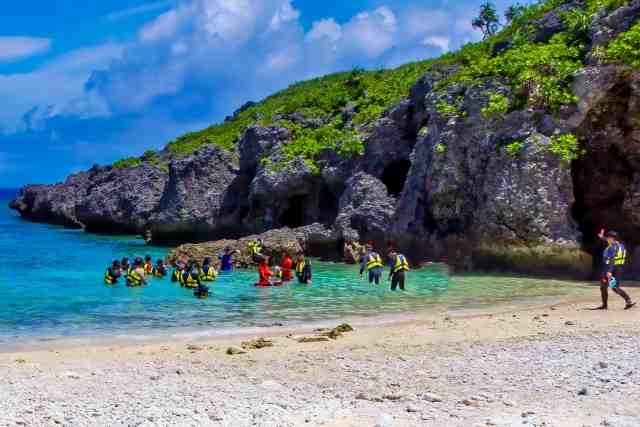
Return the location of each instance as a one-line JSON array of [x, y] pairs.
[[441, 185]]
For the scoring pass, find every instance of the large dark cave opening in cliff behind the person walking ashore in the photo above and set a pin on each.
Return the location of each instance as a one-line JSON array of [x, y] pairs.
[[603, 176]]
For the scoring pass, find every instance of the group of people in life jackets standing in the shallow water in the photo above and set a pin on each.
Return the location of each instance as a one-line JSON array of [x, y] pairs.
[[195, 275]]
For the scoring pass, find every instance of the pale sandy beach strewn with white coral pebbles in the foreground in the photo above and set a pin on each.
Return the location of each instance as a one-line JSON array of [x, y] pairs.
[[546, 366]]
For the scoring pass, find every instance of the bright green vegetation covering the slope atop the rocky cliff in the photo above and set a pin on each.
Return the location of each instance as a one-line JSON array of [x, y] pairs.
[[539, 73]]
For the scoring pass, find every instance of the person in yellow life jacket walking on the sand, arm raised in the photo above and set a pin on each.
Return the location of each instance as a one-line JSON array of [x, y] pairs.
[[613, 260]]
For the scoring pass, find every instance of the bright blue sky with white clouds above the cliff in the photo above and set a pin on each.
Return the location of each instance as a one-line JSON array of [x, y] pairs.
[[91, 82]]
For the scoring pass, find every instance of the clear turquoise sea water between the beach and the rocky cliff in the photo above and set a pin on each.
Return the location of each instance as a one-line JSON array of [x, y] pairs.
[[51, 286]]
